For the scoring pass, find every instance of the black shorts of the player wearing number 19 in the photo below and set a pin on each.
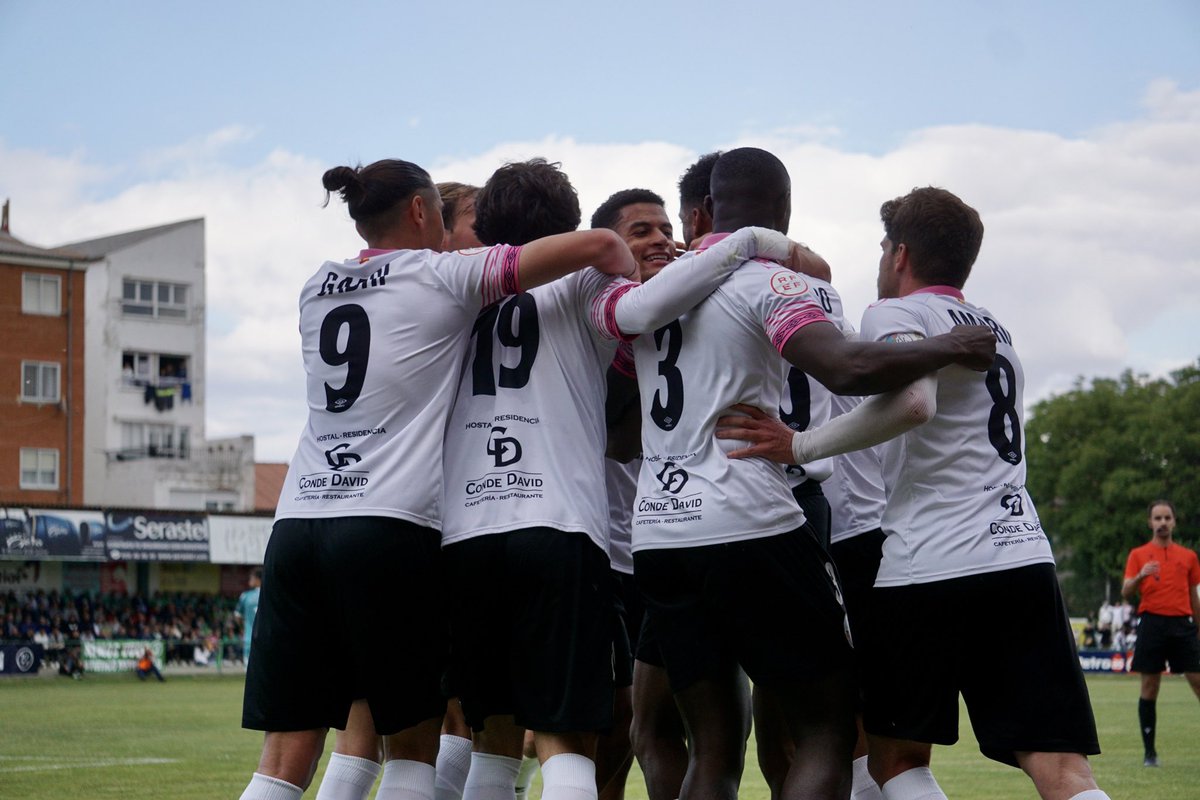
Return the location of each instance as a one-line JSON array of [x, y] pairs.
[[532, 627]]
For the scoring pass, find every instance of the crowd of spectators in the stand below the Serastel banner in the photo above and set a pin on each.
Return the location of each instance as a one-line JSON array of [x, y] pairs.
[[194, 628]]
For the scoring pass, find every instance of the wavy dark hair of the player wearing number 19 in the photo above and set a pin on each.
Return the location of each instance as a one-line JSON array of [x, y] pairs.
[[526, 201]]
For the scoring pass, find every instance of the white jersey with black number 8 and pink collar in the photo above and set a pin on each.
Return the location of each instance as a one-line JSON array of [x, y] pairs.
[[957, 503]]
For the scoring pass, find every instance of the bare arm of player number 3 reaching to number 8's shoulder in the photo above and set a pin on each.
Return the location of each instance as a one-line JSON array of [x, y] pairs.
[[853, 368]]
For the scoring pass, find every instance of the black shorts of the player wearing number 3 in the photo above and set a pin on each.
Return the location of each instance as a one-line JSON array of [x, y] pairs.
[[770, 605]]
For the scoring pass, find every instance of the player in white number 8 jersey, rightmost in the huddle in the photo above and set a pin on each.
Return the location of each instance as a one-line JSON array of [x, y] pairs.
[[963, 537]]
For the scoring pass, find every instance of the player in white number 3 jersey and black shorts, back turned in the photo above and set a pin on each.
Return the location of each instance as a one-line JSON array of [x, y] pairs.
[[721, 545]]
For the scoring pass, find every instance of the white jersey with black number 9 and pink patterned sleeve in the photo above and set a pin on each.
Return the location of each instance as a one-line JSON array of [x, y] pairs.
[[382, 338]]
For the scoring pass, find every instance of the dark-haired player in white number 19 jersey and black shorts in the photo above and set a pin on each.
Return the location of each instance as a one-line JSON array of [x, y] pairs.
[[525, 513]]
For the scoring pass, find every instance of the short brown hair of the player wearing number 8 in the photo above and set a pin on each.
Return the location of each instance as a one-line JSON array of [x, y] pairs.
[[943, 234]]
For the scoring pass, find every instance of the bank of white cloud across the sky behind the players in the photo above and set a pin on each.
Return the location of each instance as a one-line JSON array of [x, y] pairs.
[[1089, 240]]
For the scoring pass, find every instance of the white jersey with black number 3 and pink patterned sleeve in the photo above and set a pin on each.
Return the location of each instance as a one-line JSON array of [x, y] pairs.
[[724, 352]]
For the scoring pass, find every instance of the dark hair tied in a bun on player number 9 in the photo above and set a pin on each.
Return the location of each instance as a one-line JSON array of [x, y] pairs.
[[374, 194]]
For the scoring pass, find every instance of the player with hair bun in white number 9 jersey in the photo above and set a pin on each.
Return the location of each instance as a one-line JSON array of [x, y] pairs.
[[357, 524]]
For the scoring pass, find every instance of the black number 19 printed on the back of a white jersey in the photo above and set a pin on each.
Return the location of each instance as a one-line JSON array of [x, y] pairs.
[[524, 335]]
